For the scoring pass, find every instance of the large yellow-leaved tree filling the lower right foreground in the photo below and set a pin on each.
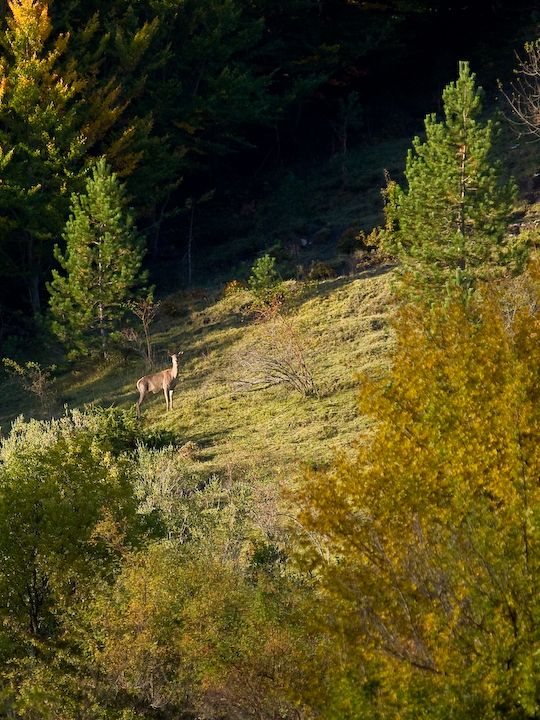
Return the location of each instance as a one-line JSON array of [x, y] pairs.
[[428, 539]]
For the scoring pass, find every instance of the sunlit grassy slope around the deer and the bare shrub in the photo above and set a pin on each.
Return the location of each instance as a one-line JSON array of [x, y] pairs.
[[340, 325]]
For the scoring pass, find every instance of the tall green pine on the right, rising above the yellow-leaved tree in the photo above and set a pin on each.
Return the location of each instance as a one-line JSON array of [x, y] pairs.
[[448, 226]]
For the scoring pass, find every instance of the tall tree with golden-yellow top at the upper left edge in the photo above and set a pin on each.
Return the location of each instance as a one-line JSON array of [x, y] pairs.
[[41, 143]]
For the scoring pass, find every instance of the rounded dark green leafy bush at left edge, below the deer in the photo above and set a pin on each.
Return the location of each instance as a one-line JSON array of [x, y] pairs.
[[66, 504]]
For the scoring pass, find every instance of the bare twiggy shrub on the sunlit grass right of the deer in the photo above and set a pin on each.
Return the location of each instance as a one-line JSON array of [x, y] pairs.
[[275, 358]]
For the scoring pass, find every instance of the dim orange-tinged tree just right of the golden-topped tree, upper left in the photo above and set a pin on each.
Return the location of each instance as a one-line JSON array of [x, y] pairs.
[[116, 47]]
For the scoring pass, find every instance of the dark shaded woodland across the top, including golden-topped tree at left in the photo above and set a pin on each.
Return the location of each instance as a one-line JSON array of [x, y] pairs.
[[201, 107]]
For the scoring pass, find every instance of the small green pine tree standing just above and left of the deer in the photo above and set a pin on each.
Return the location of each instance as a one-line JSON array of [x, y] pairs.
[[102, 262]]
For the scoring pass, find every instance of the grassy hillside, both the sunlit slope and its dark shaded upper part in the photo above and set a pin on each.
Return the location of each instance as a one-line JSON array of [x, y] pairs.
[[339, 323]]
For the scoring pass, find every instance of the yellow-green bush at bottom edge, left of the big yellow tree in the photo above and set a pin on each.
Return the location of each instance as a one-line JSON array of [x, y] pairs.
[[206, 641]]
